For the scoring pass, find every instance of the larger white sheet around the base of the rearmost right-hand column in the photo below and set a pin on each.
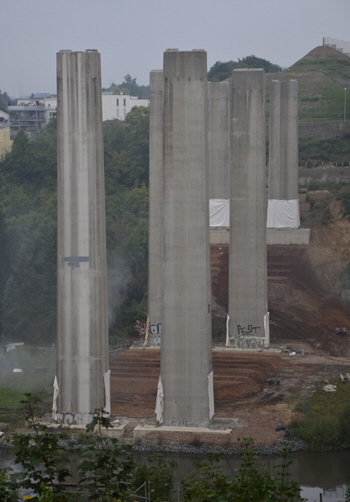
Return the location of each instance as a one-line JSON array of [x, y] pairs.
[[283, 214]]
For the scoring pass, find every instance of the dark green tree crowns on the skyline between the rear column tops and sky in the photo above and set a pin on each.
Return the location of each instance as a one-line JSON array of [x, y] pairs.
[[221, 71]]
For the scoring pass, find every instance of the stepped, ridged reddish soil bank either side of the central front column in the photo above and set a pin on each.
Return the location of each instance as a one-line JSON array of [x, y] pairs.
[[135, 376]]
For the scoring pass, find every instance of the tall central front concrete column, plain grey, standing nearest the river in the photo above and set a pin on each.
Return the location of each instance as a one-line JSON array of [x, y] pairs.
[[186, 321]]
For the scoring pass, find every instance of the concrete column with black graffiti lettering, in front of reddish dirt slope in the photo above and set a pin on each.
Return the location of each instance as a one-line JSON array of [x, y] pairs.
[[247, 267]]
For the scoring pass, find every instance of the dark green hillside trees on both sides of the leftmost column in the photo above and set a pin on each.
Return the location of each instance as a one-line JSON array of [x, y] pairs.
[[28, 255]]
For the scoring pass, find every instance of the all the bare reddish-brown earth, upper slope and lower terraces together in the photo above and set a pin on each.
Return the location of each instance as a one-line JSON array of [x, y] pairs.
[[307, 302]]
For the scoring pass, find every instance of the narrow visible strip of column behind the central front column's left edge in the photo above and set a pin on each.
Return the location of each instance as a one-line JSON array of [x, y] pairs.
[[156, 191]]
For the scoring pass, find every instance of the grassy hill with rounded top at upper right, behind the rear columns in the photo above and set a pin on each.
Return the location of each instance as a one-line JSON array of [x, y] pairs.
[[322, 75]]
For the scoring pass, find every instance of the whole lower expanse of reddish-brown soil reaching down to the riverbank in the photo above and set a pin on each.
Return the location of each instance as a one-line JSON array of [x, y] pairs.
[[241, 390]]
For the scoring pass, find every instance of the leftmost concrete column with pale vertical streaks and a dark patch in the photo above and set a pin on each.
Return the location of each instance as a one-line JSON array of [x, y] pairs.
[[82, 332]]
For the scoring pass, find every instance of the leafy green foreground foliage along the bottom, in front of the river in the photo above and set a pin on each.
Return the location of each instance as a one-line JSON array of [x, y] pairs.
[[107, 472]]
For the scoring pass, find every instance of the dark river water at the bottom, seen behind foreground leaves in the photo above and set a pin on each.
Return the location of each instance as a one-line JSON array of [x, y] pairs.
[[325, 474]]
